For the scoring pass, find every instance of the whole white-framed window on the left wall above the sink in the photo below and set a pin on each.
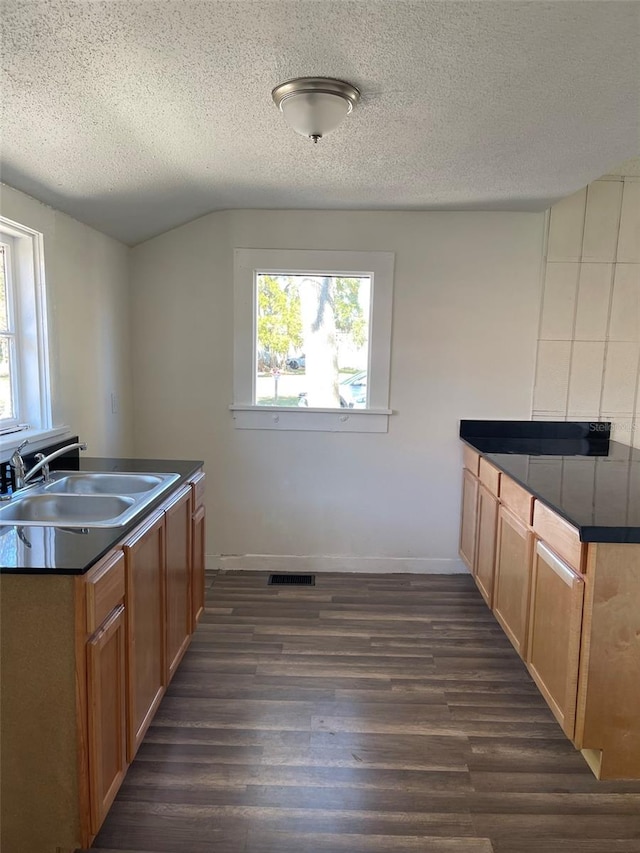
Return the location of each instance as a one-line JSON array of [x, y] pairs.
[[25, 403]]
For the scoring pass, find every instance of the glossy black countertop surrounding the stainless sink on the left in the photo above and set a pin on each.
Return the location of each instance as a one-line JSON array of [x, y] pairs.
[[57, 551]]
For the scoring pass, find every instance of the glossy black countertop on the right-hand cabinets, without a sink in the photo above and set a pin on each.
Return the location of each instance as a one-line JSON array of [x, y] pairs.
[[594, 485]]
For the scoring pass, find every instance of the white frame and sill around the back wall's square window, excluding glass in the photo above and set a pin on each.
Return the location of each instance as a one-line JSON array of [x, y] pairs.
[[248, 263]]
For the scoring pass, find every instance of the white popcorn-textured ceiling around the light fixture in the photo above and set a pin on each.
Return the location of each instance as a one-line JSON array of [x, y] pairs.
[[138, 115]]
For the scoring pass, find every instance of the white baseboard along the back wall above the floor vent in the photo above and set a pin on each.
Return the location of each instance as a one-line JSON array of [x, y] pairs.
[[367, 565]]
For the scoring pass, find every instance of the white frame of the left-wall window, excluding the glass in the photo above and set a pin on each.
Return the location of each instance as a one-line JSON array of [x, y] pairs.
[[32, 394]]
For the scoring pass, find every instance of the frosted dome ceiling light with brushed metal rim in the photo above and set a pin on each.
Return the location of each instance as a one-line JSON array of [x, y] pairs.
[[314, 106]]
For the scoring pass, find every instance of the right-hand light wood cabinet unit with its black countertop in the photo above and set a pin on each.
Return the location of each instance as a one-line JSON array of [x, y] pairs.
[[551, 533]]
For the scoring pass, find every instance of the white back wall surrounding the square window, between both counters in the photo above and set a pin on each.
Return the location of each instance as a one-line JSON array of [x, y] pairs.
[[466, 309]]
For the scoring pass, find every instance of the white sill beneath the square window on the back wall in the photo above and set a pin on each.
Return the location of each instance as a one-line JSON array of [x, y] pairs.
[[304, 418]]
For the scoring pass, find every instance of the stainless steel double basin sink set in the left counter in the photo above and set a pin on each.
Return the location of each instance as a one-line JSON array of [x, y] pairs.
[[85, 499]]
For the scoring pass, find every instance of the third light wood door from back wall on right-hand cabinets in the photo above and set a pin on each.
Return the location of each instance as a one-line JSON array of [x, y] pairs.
[[512, 582]]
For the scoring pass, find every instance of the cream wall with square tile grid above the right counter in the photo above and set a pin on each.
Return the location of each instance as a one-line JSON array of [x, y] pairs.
[[589, 347]]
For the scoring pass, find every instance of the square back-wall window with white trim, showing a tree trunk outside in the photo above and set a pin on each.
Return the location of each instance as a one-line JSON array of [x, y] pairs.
[[312, 339]]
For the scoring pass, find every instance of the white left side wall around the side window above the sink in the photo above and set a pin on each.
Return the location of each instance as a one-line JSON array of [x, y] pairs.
[[87, 281]]
